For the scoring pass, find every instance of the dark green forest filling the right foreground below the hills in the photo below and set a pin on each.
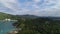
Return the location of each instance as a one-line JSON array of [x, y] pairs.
[[39, 26]]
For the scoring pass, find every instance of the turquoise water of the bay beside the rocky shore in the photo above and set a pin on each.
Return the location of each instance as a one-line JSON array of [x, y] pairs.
[[6, 26]]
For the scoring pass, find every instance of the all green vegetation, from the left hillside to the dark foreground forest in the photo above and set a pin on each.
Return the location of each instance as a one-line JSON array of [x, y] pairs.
[[37, 25]]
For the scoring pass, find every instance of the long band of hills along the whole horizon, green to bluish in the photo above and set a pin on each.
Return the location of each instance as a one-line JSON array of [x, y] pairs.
[[4, 15]]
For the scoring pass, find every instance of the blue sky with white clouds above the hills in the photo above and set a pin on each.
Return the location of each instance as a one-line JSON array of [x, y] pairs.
[[32, 7]]
